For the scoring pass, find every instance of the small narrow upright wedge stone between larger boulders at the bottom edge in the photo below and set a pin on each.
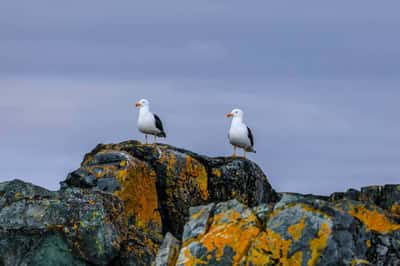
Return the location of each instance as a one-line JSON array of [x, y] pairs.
[[168, 251]]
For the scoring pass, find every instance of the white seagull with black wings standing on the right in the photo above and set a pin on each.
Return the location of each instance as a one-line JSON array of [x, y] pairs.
[[239, 134]]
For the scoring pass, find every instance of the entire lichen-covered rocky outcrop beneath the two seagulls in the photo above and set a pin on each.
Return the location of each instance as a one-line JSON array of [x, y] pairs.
[[134, 204]]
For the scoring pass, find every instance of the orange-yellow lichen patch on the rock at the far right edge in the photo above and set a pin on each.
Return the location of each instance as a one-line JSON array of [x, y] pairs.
[[373, 219]]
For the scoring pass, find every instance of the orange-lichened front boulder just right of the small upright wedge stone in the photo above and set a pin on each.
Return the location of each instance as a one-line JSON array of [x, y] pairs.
[[231, 230]]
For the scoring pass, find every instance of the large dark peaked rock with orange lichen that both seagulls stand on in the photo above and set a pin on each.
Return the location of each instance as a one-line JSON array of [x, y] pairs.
[[171, 181]]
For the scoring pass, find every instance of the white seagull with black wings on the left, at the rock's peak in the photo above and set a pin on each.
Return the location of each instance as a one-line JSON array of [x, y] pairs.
[[149, 123]]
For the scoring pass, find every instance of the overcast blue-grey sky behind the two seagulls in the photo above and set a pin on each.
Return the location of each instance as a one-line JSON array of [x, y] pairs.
[[318, 81]]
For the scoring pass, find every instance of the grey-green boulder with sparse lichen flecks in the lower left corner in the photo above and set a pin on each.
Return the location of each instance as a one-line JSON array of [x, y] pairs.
[[69, 227]]
